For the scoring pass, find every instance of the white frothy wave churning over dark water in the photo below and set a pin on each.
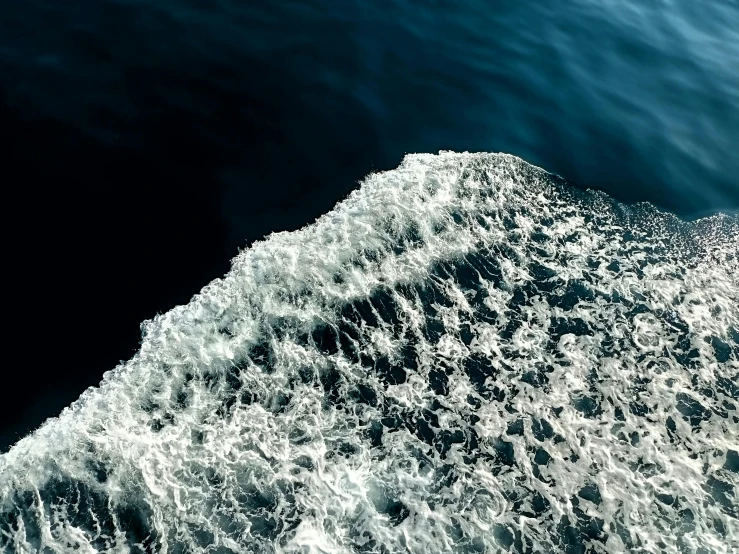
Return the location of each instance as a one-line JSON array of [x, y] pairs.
[[465, 355]]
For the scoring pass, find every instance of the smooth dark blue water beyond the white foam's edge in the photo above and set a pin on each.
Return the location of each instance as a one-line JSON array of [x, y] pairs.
[[145, 142]]
